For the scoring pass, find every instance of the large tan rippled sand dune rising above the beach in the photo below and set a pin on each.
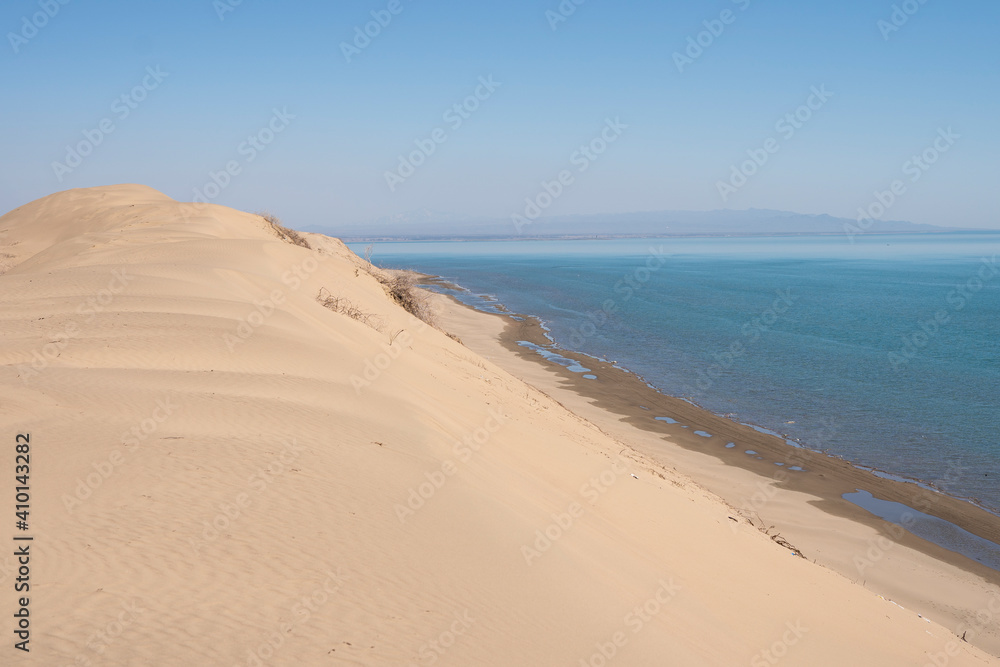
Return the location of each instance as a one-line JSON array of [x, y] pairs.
[[210, 487]]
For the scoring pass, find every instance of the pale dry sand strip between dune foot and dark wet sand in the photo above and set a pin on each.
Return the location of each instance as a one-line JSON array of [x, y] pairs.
[[941, 585]]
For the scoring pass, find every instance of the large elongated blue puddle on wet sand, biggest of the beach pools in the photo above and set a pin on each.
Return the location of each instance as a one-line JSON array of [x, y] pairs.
[[942, 533]]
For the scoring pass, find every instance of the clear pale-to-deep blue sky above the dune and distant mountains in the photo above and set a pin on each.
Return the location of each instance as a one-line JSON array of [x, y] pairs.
[[686, 130]]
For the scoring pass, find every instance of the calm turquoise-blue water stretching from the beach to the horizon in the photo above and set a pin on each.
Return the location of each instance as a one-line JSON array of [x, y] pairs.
[[885, 351]]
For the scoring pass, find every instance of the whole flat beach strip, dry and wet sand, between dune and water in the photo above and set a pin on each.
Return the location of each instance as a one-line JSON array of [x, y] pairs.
[[620, 399]]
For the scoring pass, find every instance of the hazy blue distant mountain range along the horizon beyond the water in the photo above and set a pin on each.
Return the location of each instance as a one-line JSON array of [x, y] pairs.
[[427, 225]]
